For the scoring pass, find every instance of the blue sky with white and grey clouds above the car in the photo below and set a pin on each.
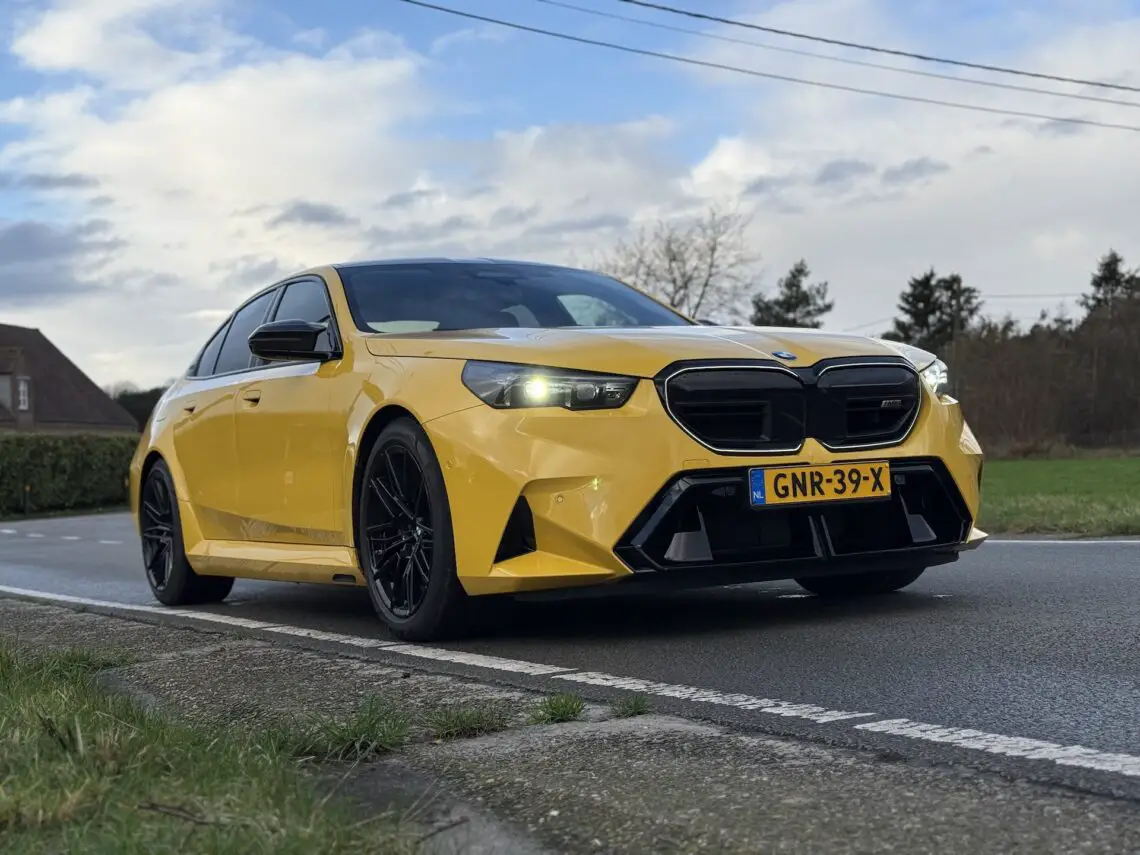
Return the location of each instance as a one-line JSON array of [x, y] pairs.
[[160, 160]]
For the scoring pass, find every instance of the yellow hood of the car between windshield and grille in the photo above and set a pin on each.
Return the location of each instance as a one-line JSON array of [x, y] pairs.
[[641, 352]]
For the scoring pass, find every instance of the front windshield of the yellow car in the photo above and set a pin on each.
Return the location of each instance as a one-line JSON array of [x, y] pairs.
[[424, 297]]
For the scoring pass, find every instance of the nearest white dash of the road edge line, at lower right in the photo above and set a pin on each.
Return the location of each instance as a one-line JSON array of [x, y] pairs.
[[1011, 746]]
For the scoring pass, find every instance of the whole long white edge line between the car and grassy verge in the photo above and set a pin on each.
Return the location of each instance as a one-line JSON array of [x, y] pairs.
[[1030, 750]]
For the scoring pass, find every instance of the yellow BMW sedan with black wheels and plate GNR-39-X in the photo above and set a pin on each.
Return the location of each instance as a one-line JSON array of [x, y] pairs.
[[438, 431]]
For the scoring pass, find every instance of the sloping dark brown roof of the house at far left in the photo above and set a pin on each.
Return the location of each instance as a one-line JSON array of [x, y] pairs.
[[63, 394]]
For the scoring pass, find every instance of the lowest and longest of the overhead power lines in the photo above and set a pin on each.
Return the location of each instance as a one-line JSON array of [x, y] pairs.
[[768, 76]]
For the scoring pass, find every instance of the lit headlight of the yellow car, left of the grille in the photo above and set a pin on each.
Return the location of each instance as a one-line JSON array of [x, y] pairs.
[[506, 386]]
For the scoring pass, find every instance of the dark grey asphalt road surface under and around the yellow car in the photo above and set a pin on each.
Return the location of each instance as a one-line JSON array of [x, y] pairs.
[[1029, 640]]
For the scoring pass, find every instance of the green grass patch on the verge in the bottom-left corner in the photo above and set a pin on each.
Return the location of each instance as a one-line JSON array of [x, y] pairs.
[[83, 770]]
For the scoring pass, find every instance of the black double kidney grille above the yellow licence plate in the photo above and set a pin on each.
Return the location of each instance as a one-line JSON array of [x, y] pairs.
[[766, 409]]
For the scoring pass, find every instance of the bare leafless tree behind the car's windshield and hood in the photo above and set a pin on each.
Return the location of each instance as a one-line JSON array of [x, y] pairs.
[[702, 267]]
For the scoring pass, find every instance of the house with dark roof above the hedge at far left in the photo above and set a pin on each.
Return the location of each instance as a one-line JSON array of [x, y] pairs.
[[43, 390]]
